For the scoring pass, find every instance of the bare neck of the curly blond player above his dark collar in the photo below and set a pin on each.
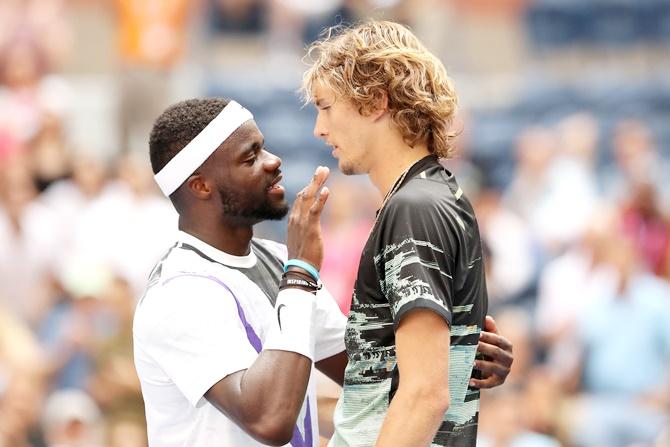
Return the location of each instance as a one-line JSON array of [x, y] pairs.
[[393, 164]]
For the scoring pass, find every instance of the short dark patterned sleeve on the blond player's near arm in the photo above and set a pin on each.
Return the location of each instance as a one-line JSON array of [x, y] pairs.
[[414, 254]]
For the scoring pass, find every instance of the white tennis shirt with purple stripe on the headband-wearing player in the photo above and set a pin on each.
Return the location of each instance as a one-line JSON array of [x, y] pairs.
[[205, 315]]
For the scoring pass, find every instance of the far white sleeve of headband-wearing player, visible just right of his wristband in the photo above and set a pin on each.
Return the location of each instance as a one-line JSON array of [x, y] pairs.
[[330, 324]]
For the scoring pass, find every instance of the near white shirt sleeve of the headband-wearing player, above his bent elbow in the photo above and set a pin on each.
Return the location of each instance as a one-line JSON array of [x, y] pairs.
[[201, 338]]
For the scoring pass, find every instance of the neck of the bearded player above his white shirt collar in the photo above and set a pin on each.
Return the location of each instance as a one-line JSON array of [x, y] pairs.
[[234, 240]]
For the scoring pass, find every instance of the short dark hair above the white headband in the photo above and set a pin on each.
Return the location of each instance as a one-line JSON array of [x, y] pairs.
[[178, 125]]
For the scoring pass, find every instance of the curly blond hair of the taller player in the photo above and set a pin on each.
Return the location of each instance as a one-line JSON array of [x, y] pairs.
[[362, 63]]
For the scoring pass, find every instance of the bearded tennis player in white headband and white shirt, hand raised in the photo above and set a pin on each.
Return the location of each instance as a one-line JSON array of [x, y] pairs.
[[229, 327]]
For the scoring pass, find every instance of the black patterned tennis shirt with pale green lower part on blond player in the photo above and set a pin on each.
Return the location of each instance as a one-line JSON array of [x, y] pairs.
[[424, 252]]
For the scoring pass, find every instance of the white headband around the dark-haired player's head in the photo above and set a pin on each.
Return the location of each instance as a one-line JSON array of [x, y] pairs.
[[201, 147]]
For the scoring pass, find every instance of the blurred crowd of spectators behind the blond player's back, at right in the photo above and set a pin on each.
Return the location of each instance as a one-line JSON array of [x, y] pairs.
[[578, 277]]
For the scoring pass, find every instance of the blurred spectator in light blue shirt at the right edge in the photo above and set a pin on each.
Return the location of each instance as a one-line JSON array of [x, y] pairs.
[[623, 373]]
